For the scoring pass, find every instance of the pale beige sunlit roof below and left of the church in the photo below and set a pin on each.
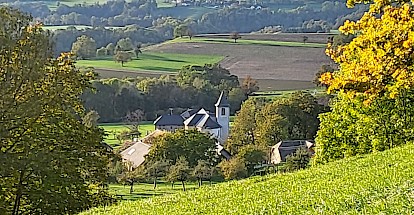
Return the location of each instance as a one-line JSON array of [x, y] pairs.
[[136, 153]]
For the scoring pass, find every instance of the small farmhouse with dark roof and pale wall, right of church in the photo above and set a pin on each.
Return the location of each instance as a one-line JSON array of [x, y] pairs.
[[282, 149]]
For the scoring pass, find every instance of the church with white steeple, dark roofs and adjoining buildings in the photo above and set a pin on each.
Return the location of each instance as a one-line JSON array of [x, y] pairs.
[[217, 124]]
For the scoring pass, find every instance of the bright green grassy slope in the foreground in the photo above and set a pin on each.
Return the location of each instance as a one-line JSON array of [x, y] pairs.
[[381, 183]]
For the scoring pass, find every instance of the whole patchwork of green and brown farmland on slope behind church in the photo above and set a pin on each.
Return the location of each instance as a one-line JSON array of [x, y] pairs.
[[276, 61]]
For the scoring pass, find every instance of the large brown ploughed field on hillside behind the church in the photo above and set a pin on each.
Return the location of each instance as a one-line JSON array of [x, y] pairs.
[[275, 67]]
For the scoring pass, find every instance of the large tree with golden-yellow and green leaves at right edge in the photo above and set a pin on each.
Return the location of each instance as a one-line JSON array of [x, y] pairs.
[[374, 84]]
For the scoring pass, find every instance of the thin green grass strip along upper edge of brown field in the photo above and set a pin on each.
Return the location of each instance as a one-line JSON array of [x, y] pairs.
[[246, 42]]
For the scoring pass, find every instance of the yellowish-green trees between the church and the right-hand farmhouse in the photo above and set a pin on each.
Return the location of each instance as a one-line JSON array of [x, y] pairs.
[[260, 124]]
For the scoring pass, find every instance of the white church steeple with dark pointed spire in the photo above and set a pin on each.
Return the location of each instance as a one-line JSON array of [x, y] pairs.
[[223, 117]]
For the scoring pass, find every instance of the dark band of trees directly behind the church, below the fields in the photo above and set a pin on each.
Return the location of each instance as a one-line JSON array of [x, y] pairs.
[[192, 87]]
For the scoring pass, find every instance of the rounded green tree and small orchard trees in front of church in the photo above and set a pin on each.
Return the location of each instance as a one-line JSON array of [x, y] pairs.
[[175, 157]]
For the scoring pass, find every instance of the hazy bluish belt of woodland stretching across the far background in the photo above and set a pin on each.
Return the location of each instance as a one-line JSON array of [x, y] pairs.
[[149, 24]]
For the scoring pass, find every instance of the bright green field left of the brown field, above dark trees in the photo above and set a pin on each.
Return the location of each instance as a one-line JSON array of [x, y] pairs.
[[153, 61]]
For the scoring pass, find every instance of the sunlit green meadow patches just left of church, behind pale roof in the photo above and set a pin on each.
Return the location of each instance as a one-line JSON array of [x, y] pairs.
[[113, 129]]
